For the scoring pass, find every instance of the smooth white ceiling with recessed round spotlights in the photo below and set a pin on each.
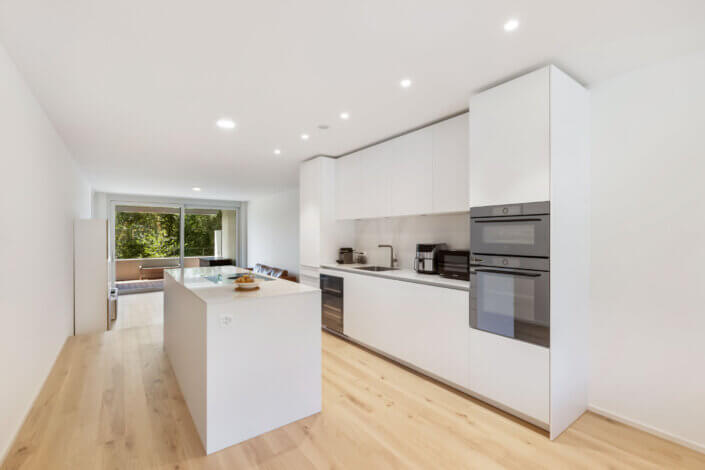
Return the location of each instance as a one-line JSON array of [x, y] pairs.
[[135, 86]]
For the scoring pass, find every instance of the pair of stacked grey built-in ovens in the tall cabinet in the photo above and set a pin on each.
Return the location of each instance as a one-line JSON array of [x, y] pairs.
[[510, 271]]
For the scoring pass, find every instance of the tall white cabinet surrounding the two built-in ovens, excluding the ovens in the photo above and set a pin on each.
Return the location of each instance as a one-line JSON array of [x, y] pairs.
[[529, 142]]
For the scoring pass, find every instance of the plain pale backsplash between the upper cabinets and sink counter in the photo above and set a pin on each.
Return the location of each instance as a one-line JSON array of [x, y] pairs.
[[405, 232]]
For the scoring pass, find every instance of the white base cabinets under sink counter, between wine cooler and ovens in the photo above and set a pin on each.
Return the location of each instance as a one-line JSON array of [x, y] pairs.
[[424, 326]]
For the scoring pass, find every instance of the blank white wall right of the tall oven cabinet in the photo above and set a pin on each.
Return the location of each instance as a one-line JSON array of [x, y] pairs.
[[648, 248]]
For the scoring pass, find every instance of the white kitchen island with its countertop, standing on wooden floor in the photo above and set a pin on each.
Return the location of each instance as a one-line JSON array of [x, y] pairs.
[[246, 362]]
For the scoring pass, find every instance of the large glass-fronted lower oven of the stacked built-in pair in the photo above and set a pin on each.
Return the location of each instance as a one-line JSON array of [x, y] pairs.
[[512, 303]]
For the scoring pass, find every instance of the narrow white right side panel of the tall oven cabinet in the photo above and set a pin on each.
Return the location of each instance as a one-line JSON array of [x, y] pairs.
[[570, 250]]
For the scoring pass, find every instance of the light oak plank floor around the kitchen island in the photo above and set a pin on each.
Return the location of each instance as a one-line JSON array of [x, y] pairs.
[[112, 402]]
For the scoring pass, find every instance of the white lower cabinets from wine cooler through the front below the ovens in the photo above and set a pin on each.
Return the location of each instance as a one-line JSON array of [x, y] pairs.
[[428, 328]]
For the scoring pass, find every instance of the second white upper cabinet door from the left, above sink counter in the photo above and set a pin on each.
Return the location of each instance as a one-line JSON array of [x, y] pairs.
[[376, 171]]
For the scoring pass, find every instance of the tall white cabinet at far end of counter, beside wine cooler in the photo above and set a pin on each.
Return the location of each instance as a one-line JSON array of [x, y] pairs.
[[320, 235]]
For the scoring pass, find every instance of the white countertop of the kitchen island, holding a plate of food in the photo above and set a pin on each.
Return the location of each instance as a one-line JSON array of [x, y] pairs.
[[194, 279]]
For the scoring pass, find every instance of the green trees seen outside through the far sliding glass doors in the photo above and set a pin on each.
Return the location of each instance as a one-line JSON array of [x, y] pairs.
[[156, 235]]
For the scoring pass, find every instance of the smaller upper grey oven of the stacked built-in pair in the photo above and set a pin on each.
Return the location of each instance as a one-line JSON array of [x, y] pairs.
[[513, 230]]
